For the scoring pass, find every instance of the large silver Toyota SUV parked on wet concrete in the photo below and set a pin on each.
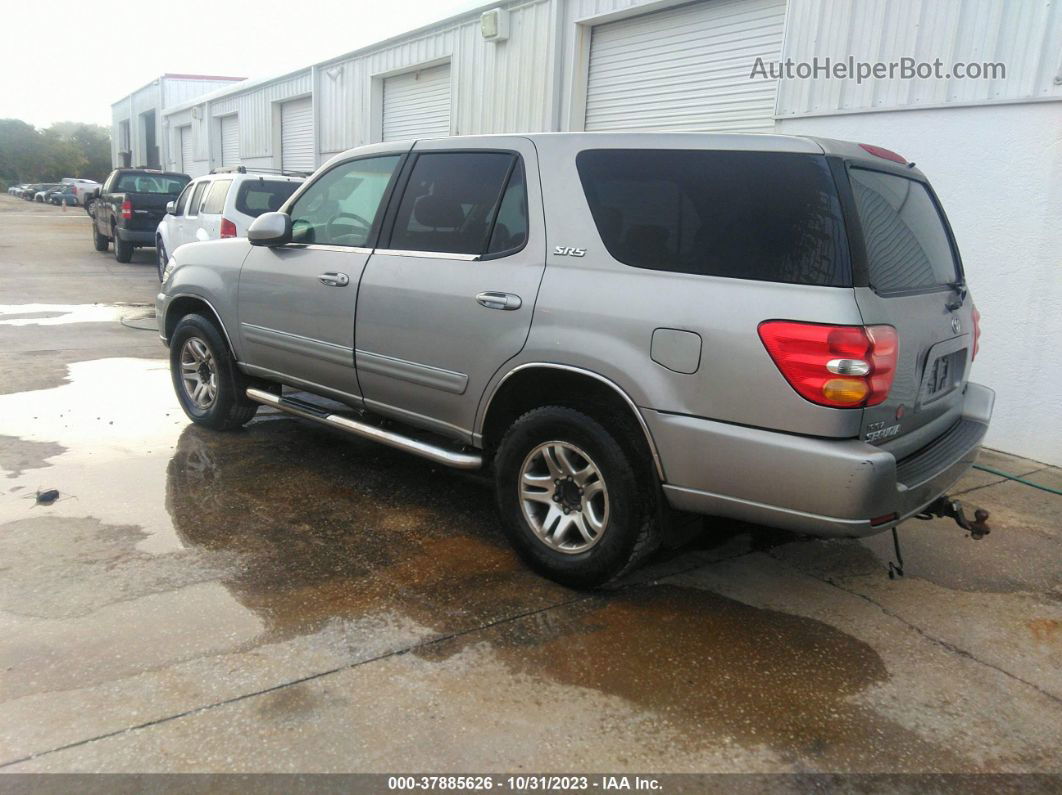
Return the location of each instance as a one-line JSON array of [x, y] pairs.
[[623, 327]]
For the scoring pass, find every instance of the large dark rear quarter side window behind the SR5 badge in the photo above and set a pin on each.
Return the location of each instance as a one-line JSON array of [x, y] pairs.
[[774, 217]]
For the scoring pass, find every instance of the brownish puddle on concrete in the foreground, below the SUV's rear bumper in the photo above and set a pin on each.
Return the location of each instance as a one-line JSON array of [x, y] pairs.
[[715, 670]]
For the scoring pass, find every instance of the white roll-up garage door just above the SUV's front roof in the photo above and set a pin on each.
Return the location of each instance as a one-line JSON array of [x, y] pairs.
[[418, 105]]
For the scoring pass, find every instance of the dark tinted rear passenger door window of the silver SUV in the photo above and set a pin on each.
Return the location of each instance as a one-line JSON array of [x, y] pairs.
[[452, 201]]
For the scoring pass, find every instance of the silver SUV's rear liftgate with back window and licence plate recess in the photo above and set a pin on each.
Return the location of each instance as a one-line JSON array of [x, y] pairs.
[[916, 285]]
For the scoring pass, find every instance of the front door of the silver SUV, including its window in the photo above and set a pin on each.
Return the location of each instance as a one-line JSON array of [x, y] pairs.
[[297, 302]]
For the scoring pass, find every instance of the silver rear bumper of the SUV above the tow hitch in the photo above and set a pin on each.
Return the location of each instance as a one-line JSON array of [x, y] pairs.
[[824, 488]]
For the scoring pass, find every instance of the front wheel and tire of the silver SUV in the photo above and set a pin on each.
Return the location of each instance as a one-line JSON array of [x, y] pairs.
[[229, 408]]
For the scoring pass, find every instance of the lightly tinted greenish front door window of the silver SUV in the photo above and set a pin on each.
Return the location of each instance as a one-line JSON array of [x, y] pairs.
[[341, 208]]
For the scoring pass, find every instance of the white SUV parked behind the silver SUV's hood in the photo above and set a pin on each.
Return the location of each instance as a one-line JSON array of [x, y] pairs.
[[221, 205]]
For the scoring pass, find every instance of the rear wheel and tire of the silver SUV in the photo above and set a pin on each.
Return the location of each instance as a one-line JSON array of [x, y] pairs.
[[624, 516]]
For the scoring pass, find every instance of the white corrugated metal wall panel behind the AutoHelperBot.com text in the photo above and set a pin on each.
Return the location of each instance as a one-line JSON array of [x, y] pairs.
[[1026, 36]]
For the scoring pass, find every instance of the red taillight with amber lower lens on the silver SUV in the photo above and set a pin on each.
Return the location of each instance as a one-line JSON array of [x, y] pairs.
[[843, 367]]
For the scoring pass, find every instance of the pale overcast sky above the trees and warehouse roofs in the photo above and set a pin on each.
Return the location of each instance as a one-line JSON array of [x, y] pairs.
[[71, 60]]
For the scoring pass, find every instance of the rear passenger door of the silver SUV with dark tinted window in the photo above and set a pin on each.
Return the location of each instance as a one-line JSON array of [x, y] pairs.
[[448, 297]]
